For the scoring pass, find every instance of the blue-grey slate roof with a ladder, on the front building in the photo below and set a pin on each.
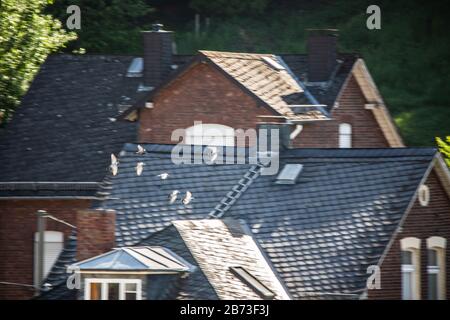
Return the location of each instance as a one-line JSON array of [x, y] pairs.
[[320, 235]]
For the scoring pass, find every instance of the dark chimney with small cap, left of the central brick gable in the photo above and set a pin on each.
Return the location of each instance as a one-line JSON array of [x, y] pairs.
[[157, 55]]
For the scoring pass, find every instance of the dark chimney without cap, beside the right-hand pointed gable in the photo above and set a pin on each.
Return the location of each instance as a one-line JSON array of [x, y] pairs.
[[322, 54]]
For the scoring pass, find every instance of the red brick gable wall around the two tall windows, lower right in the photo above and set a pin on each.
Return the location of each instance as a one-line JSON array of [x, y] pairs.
[[422, 222]]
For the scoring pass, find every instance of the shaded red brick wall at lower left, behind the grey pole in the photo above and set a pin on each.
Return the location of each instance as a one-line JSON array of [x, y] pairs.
[[17, 228]]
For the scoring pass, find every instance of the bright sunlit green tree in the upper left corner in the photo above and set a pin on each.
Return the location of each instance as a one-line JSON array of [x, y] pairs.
[[27, 37]]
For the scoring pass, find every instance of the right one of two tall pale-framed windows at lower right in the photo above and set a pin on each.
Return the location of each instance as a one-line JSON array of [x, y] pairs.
[[438, 244]]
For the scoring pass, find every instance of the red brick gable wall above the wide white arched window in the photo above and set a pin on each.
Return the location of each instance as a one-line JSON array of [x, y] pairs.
[[201, 94]]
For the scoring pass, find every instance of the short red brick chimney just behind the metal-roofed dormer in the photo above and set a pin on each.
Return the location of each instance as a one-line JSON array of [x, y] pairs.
[[95, 232]]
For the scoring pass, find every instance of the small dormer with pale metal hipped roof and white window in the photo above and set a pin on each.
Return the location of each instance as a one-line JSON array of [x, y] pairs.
[[126, 273]]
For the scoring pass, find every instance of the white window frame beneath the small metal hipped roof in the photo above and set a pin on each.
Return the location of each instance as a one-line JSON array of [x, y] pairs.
[[104, 282]]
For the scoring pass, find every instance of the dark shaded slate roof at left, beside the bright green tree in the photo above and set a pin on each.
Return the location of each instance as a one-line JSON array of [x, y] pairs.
[[64, 130]]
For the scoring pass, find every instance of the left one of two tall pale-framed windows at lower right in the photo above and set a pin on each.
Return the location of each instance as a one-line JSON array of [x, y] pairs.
[[411, 244]]
